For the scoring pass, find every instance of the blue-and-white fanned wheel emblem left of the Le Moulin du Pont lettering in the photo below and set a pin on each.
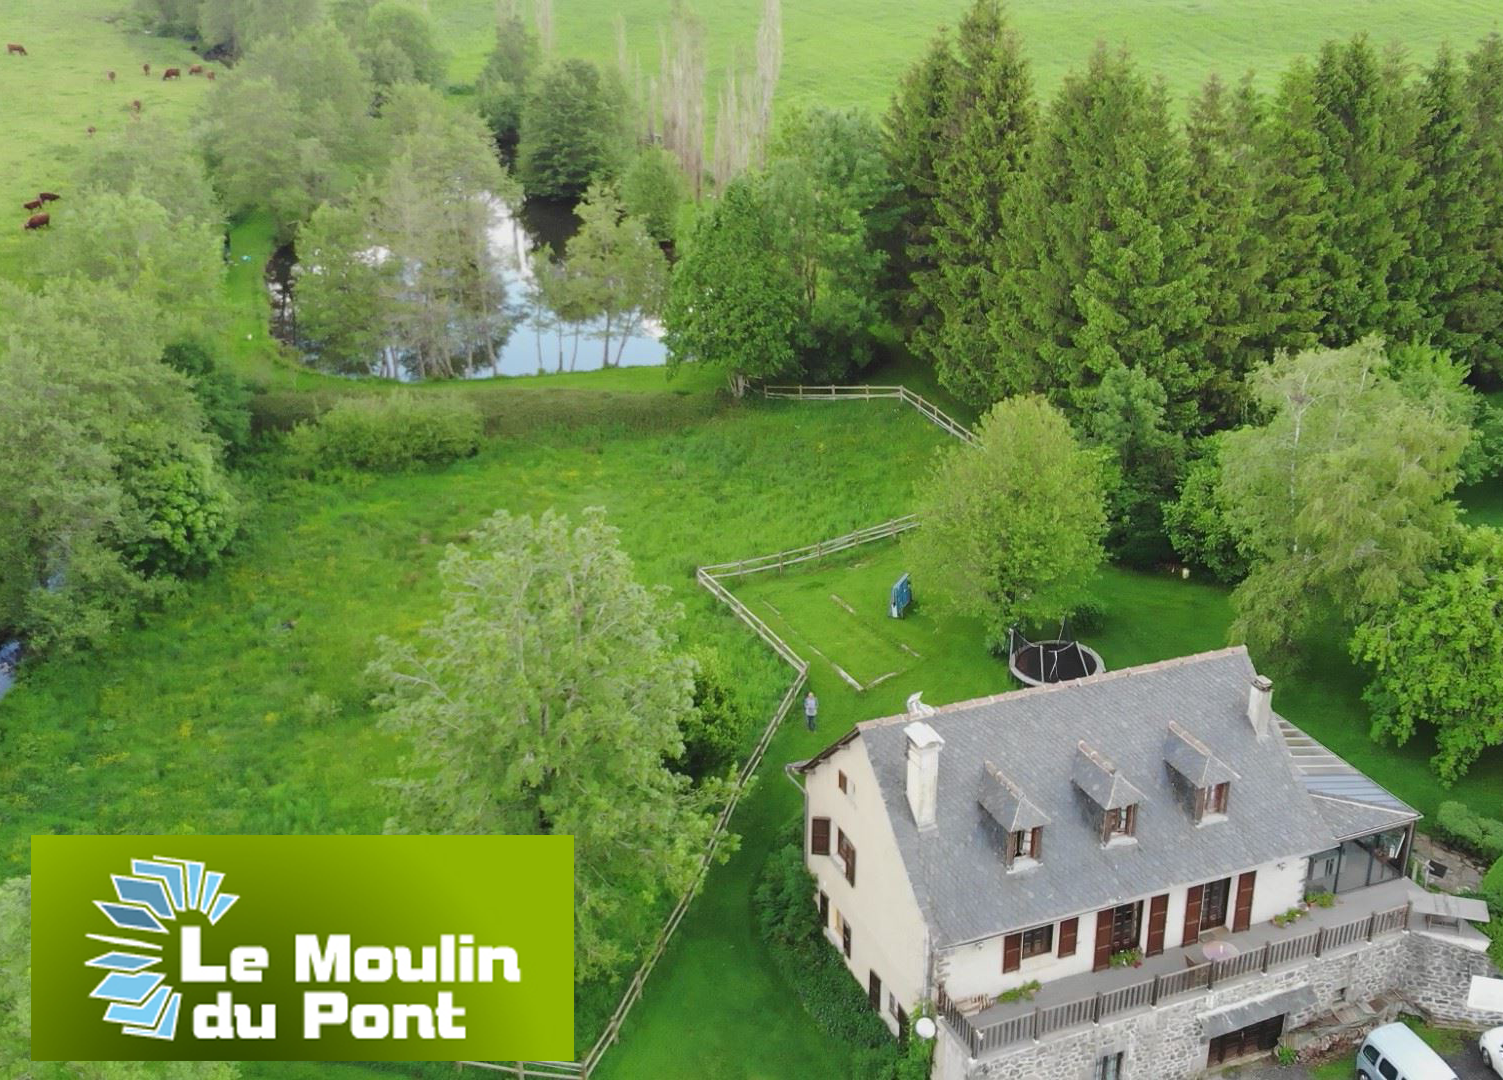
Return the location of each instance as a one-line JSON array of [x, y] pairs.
[[156, 891]]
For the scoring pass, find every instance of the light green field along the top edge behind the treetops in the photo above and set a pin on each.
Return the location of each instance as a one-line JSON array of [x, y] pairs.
[[851, 52]]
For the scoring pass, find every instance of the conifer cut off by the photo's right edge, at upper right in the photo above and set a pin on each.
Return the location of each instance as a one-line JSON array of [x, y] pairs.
[[1481, 310]]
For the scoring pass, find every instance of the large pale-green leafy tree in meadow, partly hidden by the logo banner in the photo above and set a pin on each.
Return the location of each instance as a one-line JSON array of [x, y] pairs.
[[546, 701]]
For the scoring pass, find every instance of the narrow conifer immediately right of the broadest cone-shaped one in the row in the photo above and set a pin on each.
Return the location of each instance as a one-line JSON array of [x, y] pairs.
[[1223, 134]]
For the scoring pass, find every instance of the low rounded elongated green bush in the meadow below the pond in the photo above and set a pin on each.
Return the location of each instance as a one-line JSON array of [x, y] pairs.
[[392, 432]]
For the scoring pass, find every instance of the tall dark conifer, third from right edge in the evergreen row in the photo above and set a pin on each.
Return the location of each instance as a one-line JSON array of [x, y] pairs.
[[1362, 116]]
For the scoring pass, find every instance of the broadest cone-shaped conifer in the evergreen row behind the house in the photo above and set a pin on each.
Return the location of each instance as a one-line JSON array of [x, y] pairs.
[[1102, 268]]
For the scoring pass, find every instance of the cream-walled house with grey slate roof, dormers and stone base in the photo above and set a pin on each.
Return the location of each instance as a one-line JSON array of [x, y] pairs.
[[1108, 878]]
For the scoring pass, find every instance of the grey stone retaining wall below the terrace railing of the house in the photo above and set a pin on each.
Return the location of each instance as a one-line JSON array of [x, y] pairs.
[[1166, 1043]]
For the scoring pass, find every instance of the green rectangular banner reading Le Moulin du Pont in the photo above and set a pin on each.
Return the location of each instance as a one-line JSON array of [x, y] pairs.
[[303, 949]]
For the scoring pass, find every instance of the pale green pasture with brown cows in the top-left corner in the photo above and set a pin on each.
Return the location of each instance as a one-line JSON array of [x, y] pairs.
[[50, 98]]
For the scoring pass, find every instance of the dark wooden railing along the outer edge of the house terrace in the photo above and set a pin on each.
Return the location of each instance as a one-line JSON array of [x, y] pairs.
[[1151, 992]]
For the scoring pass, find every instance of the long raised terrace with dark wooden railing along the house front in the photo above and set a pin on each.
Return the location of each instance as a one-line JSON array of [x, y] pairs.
[[1065, 1006]]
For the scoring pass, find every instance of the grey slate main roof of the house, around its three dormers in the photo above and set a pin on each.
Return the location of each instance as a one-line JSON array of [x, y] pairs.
[[957, 869]]
